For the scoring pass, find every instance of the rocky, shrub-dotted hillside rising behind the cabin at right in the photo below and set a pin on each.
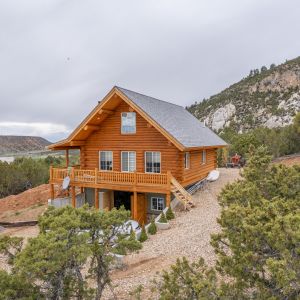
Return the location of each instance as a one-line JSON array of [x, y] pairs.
[[266, 97]]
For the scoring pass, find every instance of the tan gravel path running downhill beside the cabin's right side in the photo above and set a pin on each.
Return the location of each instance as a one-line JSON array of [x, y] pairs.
[[188, 236]]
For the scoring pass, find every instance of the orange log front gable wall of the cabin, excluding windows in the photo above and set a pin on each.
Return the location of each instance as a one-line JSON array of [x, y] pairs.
[[109, 138]]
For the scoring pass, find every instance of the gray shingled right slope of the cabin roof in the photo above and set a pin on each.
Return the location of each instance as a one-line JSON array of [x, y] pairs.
[[176, 120]]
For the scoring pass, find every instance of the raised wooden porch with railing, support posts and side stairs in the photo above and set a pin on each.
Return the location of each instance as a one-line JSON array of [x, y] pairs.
[[136, 183]]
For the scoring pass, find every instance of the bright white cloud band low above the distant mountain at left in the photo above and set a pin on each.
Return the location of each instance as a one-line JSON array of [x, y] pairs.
[[47, 130]]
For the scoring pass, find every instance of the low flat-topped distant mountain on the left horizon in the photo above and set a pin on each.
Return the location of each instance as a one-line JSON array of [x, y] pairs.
[[15, 144]]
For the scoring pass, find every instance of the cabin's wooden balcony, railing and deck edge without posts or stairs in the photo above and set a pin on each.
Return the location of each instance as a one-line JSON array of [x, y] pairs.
[[141, 182]]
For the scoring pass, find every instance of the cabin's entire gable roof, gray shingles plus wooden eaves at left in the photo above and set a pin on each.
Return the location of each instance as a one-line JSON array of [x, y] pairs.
[[173, 121]]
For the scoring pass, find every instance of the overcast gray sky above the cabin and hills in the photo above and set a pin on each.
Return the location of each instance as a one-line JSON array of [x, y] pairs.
[[59, 57]]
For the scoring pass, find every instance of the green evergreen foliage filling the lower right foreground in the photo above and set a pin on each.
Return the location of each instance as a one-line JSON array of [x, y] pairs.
[[258, 246]]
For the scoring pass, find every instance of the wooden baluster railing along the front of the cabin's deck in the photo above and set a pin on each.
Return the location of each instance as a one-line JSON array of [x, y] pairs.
[[107, 177]]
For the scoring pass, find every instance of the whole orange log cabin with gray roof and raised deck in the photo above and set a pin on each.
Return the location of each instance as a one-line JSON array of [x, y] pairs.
[[137, 151]]
